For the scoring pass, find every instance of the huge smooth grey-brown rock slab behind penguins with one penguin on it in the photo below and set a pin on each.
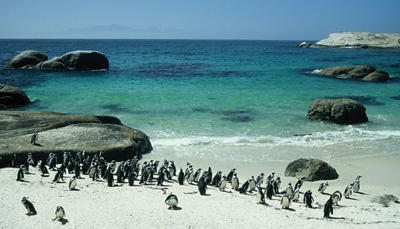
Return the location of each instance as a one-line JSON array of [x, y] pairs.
[[59, 133]]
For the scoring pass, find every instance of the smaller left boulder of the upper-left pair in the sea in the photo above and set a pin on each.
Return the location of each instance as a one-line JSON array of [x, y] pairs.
[[27, 58]]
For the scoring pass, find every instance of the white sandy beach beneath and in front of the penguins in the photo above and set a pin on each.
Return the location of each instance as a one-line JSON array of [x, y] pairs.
[[97, 206]]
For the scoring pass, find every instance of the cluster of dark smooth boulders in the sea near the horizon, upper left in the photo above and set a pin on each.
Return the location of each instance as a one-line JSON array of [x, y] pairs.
[[77, 60]]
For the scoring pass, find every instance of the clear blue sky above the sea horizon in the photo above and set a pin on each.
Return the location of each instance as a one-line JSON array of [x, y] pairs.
[[195, 19]]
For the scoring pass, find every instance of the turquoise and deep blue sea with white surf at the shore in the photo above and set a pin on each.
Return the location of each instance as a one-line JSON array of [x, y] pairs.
[[223, 100]]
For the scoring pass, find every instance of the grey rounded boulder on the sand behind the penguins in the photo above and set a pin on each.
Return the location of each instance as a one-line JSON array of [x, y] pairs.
[[311, 169]]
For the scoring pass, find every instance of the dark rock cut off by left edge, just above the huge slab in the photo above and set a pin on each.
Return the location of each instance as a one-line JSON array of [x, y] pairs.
[[12, 97]]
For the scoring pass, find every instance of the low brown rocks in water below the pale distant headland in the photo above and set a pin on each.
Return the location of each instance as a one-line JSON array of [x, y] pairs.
[[363, 72]]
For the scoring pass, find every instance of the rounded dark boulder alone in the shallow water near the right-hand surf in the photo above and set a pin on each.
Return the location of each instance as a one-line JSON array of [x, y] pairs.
[[340, 111]]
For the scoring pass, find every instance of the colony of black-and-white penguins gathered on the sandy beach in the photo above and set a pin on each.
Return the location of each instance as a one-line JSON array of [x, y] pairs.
[[97, 167]]
